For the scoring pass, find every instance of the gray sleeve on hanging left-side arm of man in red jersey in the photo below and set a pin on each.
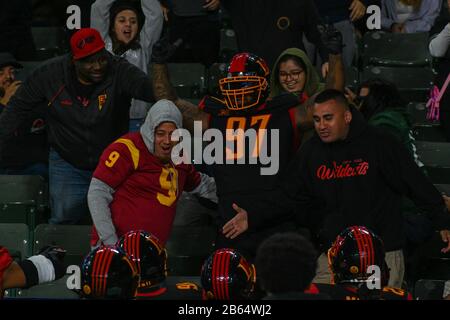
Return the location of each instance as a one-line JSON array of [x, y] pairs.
[[100, 195]]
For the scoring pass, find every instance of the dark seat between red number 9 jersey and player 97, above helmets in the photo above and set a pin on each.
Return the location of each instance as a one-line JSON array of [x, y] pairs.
[[187, 248]]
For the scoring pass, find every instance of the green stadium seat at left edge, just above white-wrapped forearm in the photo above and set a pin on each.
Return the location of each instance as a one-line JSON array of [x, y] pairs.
[[16, 238]]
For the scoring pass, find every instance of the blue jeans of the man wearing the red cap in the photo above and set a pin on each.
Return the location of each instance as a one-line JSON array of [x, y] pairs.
[[68, 190]]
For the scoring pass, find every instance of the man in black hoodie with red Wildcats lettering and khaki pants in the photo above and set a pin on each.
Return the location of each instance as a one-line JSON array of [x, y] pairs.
[[352, 173]]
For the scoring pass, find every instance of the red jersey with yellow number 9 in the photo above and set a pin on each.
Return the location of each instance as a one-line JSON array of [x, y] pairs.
[[146, 190]]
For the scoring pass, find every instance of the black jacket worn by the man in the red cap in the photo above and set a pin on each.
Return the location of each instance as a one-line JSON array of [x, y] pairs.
[[79, 134]]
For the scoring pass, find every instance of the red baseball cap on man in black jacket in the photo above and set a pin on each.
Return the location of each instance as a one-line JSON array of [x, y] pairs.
[[86, 42]]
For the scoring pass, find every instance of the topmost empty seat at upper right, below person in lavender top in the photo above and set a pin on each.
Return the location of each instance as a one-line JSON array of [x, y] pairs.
[[396, 49]]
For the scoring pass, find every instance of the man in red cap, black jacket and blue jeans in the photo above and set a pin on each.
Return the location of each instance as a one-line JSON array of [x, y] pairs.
[[88, 93]]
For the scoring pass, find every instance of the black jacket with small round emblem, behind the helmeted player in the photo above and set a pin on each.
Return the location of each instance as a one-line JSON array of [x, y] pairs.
[[268, 27]]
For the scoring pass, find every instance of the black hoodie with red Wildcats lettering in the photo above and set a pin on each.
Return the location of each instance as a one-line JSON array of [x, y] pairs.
[[359, 181]]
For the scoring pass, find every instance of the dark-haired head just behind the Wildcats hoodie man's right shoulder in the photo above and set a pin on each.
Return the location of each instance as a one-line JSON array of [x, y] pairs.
[[377, 95]]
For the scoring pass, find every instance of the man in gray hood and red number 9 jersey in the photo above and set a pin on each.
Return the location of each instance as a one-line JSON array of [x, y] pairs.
[[136, 185]]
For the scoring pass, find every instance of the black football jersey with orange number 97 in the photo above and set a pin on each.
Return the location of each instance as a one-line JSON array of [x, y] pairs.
[[253, 158]]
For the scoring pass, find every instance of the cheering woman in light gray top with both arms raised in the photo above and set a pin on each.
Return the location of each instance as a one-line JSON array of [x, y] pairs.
[[129, 31]]
